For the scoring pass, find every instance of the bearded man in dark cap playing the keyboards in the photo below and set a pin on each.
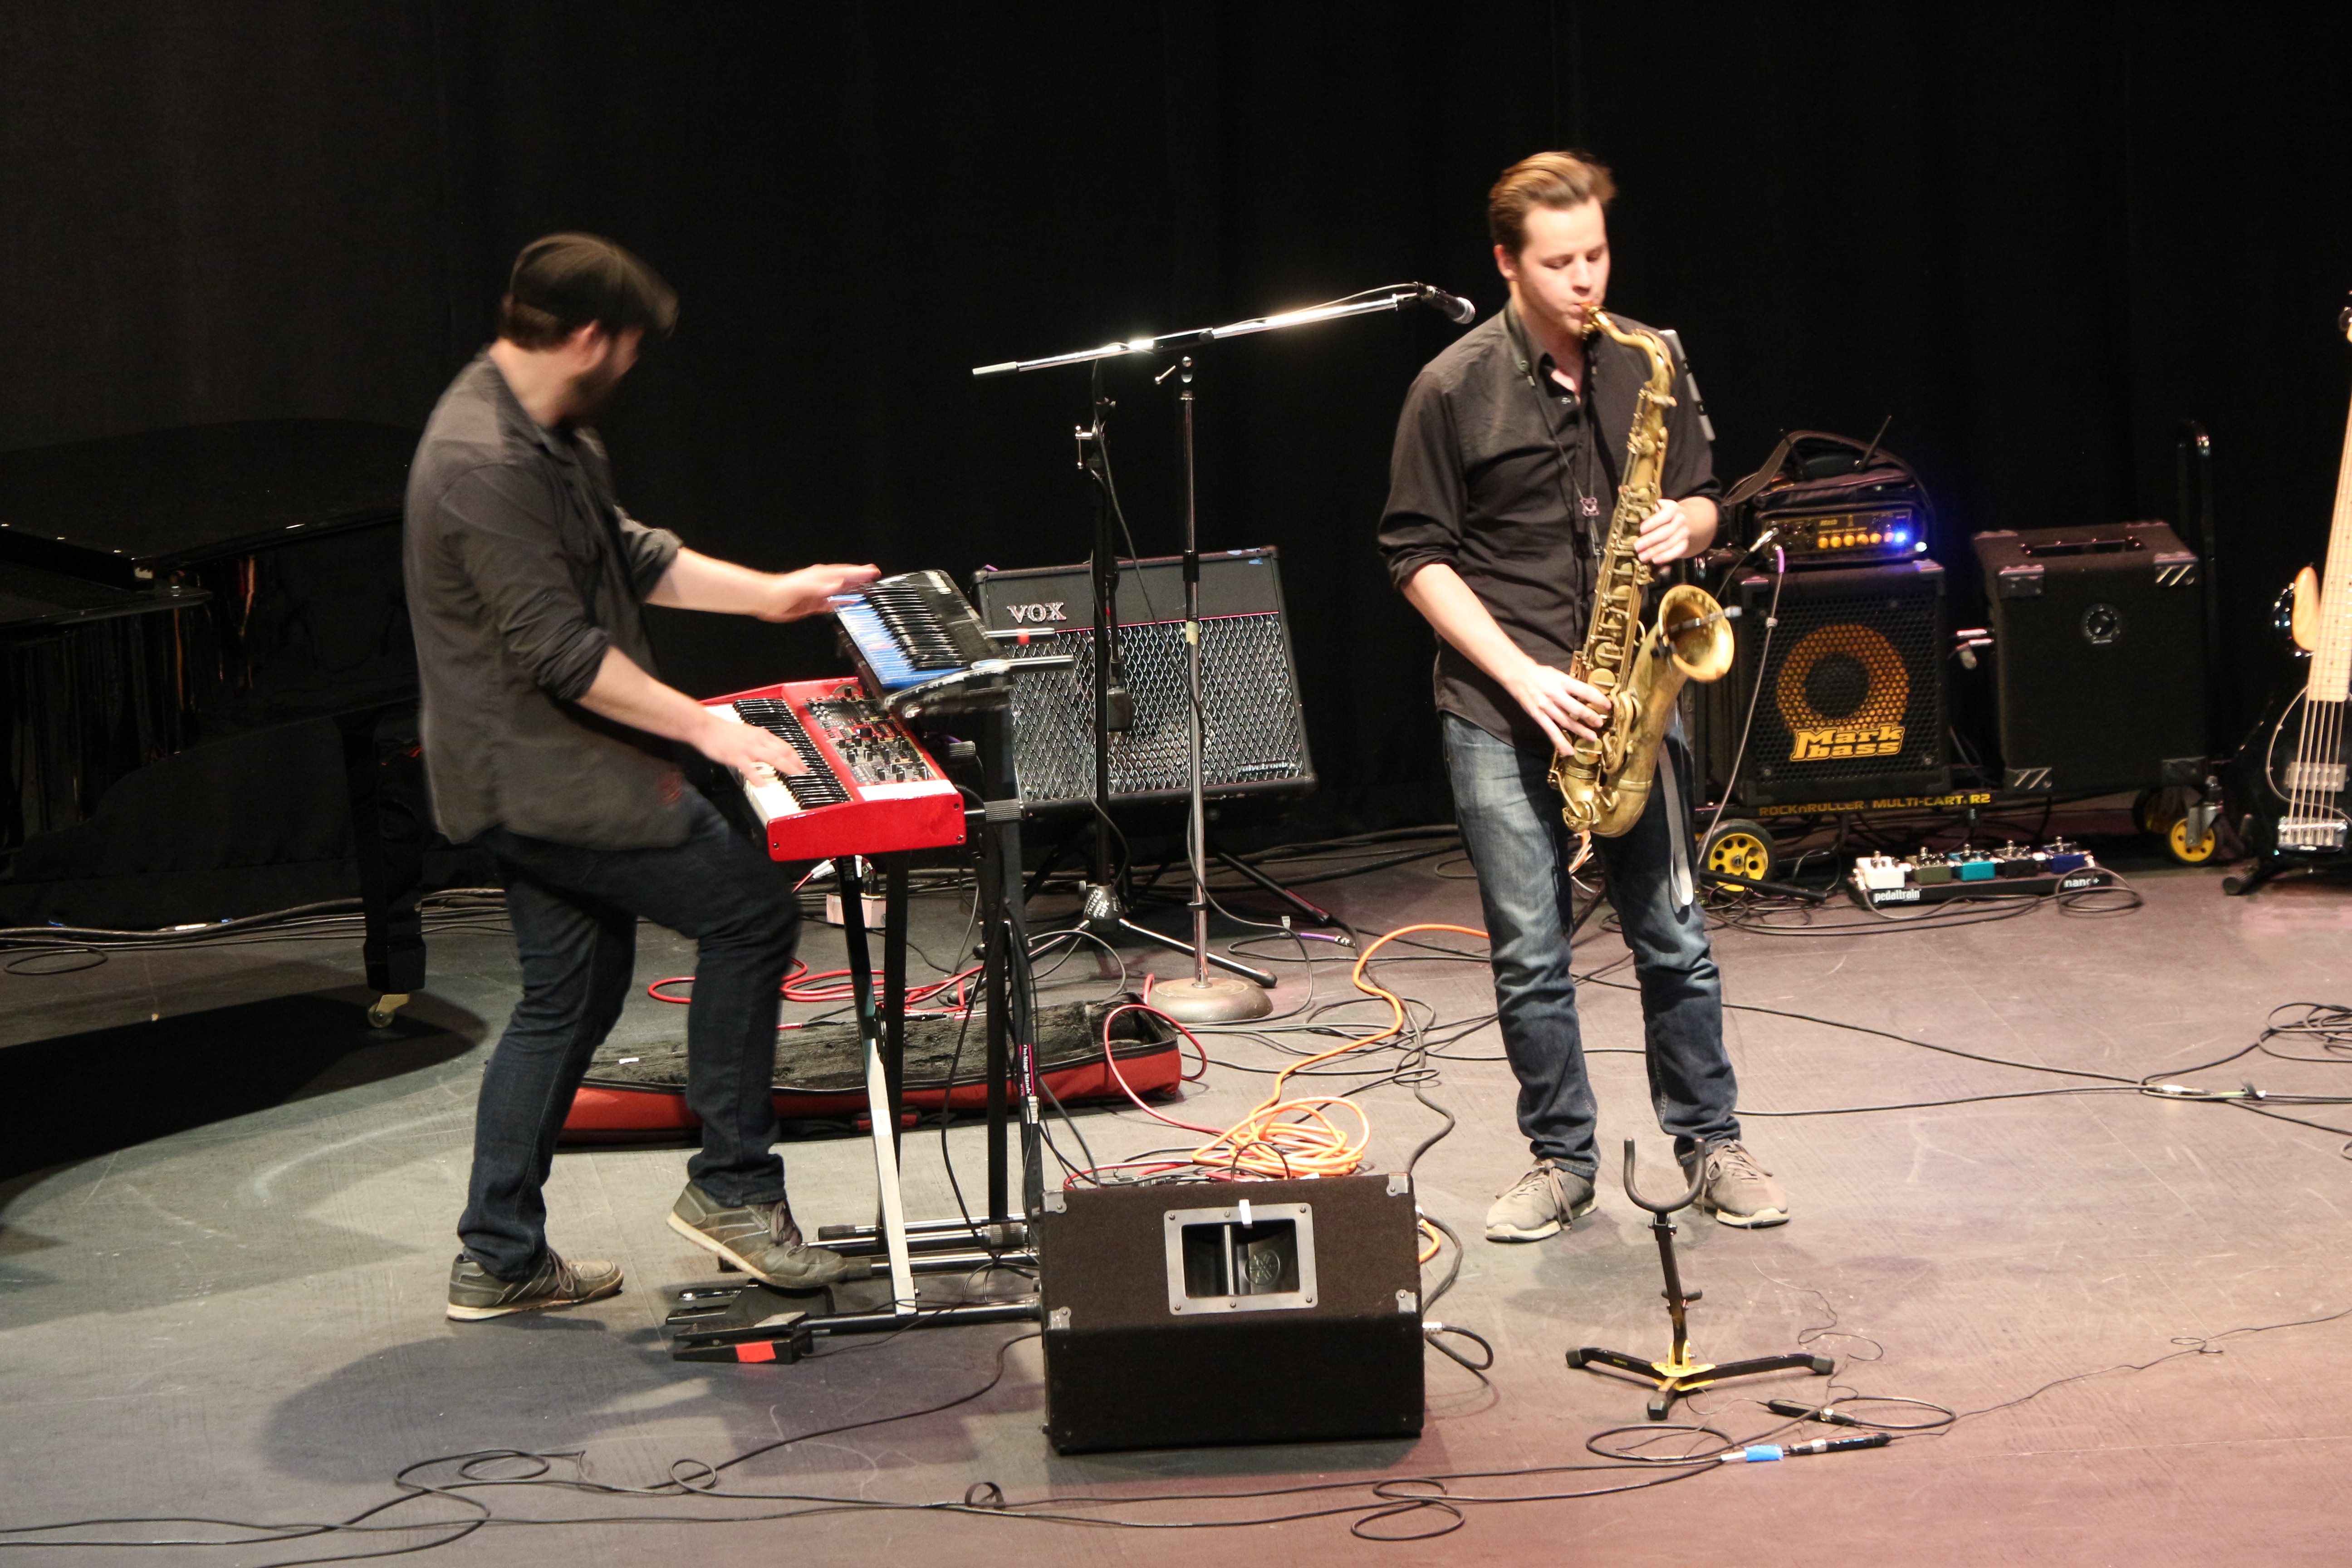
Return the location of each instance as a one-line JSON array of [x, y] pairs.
[[552, 744]]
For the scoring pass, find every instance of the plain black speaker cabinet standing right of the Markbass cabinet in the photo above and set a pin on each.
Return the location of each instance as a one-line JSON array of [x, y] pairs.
[[2099, 657]]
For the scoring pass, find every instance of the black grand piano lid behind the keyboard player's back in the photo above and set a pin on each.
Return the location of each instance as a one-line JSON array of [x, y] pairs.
[[128, 507]]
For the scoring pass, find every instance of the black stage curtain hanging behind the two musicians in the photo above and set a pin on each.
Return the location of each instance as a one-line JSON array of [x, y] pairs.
[[2033, 236]]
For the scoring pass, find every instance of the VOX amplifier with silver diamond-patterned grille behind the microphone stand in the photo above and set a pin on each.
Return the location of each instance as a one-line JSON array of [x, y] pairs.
[[1255, 737]]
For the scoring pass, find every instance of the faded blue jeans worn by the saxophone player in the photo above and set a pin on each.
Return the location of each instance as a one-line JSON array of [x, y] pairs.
[[1521, 850]]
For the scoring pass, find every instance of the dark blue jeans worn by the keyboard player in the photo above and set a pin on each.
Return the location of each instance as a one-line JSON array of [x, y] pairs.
[[575, 916]]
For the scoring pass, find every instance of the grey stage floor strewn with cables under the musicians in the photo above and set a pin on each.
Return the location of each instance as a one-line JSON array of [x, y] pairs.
[[220, 1294]]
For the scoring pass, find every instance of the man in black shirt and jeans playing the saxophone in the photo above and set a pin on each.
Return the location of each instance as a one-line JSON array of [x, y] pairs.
[[1502, 490]]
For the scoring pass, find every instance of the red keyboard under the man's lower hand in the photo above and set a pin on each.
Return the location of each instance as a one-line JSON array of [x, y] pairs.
[[869, 786]]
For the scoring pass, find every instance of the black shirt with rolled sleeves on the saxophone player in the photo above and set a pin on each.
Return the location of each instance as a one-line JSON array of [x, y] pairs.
[[1514, 488]]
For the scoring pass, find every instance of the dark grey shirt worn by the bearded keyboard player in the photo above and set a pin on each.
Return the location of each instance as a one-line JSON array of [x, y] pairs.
[[521, 572]]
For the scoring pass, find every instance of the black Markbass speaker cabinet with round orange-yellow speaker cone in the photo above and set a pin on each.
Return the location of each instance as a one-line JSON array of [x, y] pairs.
[[1850, 688]]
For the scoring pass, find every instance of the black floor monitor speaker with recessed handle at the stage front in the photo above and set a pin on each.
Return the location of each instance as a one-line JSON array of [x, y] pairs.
[[1231, 1313]]
